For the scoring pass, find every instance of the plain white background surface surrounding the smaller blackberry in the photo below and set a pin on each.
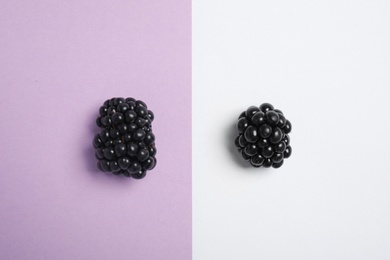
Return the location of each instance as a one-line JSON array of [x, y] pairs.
[[326, 65]]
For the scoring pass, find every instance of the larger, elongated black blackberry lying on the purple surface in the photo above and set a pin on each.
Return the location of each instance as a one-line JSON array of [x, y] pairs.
[[125, 144]]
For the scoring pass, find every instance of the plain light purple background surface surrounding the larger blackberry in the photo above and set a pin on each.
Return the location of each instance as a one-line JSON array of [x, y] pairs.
[[59, 61]]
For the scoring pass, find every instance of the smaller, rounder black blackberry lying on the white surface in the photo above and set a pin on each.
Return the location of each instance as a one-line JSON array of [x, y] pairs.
[[263, 138]]
